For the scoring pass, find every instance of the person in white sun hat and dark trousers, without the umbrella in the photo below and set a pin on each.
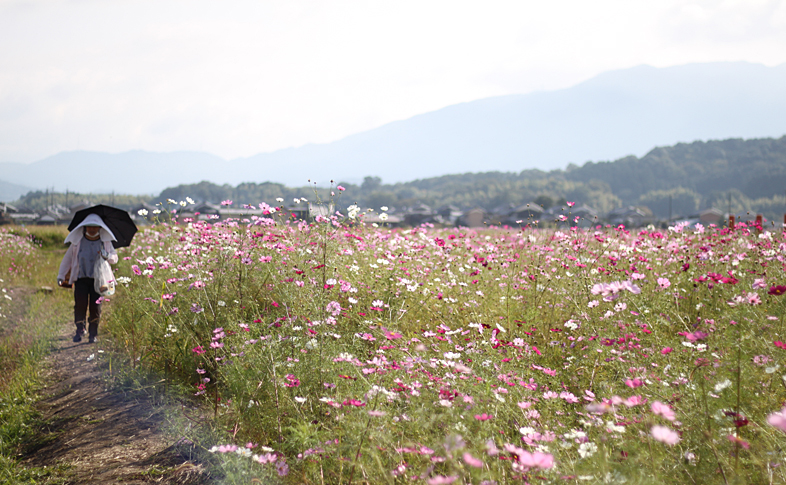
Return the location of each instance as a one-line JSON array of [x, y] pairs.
[[90, 240]]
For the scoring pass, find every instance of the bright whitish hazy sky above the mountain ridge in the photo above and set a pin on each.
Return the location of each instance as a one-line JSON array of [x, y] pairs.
[[236, 78]]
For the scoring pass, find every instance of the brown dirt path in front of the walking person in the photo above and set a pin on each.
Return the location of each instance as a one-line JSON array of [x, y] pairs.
[[101, 433]]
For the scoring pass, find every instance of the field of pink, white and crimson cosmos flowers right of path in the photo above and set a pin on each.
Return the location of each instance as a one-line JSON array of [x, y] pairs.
[[338, 352]]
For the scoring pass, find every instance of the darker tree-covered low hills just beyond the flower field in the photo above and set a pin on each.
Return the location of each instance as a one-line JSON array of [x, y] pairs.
[[734, 175]]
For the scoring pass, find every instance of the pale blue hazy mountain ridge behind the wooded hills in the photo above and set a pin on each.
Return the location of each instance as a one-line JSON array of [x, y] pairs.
[[614, 114]]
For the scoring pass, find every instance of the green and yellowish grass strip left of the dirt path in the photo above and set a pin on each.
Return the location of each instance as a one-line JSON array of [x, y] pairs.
[[29, 320]]
